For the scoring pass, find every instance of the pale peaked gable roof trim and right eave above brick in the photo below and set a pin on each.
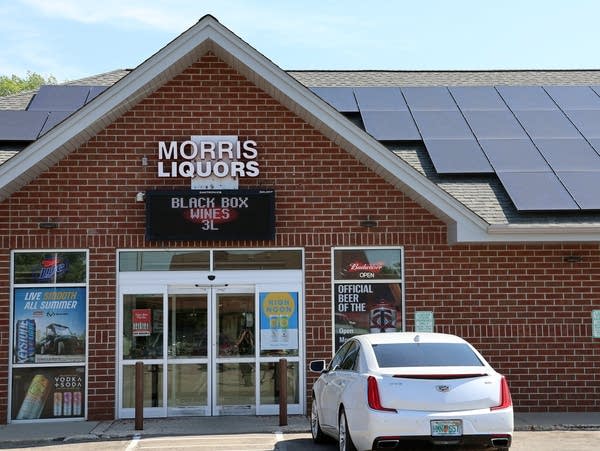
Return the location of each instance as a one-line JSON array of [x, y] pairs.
[[464, 225]]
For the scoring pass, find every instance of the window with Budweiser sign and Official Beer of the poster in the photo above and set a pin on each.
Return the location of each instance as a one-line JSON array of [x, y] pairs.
[[363, 302]]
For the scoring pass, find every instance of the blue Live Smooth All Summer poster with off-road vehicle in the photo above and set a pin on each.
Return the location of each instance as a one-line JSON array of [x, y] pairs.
[[49, 325]]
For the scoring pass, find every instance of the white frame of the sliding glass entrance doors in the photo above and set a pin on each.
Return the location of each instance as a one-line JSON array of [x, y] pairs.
[[187, 282]]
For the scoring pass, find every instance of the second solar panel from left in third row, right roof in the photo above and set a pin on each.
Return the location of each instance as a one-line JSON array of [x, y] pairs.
[[513, 155]]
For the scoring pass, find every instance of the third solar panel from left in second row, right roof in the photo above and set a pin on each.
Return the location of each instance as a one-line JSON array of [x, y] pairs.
[[494, 124]]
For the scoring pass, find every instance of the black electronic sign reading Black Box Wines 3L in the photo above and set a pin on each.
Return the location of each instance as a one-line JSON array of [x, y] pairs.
[[197, 215]]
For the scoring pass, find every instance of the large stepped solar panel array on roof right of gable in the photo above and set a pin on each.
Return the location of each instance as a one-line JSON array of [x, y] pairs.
[[543, 142]]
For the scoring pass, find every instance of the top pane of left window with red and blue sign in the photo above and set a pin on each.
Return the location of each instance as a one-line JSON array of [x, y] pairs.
[[49, 267]]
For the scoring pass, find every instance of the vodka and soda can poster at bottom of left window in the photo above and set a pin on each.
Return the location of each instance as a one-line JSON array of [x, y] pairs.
[[44, 393]]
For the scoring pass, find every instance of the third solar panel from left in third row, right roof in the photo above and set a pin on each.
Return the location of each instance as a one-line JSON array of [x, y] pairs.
[[569, 154]]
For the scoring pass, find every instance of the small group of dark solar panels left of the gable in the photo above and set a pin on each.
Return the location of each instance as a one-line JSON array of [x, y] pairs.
[[51, 105]]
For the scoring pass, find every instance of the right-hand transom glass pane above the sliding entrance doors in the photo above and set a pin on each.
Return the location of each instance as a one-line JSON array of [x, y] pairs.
[[257, 259]]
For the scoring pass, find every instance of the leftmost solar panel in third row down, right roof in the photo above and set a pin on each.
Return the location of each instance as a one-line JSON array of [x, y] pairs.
[[457, 156]]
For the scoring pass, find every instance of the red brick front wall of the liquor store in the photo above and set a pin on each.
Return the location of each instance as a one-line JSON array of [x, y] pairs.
[[523, 306]]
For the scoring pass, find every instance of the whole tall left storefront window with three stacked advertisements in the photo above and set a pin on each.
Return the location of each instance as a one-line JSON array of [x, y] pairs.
[[49, 334]]
